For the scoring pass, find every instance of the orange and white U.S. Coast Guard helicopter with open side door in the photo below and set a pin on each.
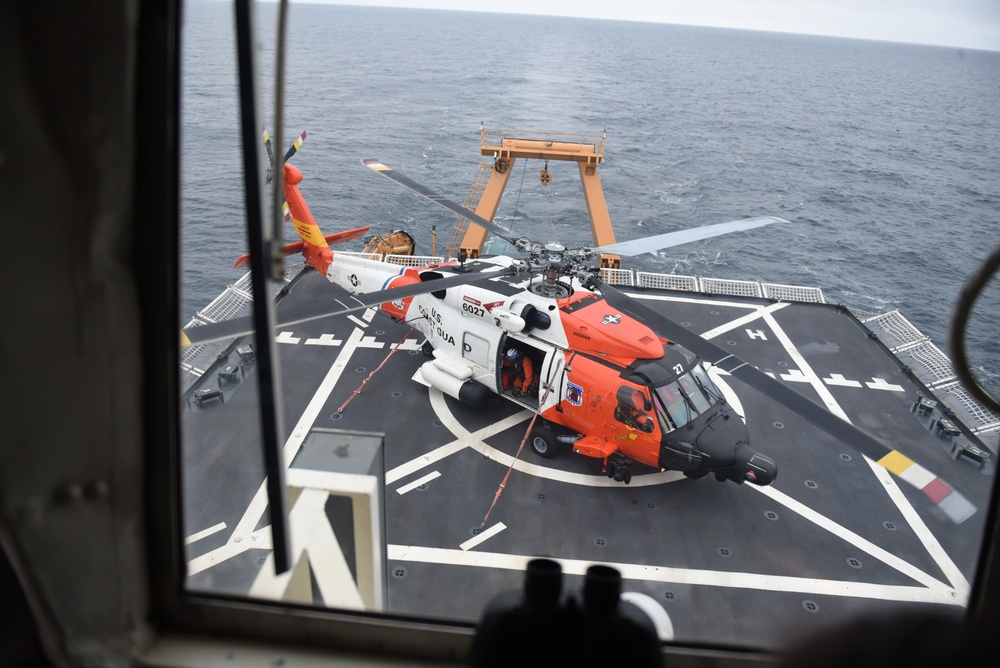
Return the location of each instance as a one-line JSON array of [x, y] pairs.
[[611, 378]]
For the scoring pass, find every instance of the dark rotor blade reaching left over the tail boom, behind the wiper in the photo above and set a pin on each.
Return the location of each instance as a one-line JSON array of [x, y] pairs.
[[309, 311]]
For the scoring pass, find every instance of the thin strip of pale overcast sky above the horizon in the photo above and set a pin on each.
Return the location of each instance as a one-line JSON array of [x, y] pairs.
[[971, 24]]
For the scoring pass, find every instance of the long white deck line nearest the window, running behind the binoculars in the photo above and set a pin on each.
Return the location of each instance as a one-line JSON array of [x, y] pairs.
[[646, 573]]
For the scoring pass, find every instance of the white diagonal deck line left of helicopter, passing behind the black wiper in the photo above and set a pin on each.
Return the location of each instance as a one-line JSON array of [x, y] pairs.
[[244, 536]]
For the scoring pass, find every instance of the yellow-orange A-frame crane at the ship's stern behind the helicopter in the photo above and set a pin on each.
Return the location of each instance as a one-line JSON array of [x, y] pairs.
[[505, 148]]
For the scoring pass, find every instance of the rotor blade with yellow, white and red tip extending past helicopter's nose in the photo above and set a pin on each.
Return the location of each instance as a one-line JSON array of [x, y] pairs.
[[949, 500]]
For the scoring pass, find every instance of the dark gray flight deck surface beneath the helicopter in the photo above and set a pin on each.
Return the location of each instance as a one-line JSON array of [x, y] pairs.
[[731, 565]]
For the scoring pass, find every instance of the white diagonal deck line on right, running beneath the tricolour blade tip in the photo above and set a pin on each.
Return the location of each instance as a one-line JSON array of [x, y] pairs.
[[927, 539]]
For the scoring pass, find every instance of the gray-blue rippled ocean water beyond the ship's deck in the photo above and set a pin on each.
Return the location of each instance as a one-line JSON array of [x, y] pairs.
[[884, 156]]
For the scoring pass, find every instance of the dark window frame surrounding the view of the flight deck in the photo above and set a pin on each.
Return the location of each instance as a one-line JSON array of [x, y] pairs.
[[178, 613]]
